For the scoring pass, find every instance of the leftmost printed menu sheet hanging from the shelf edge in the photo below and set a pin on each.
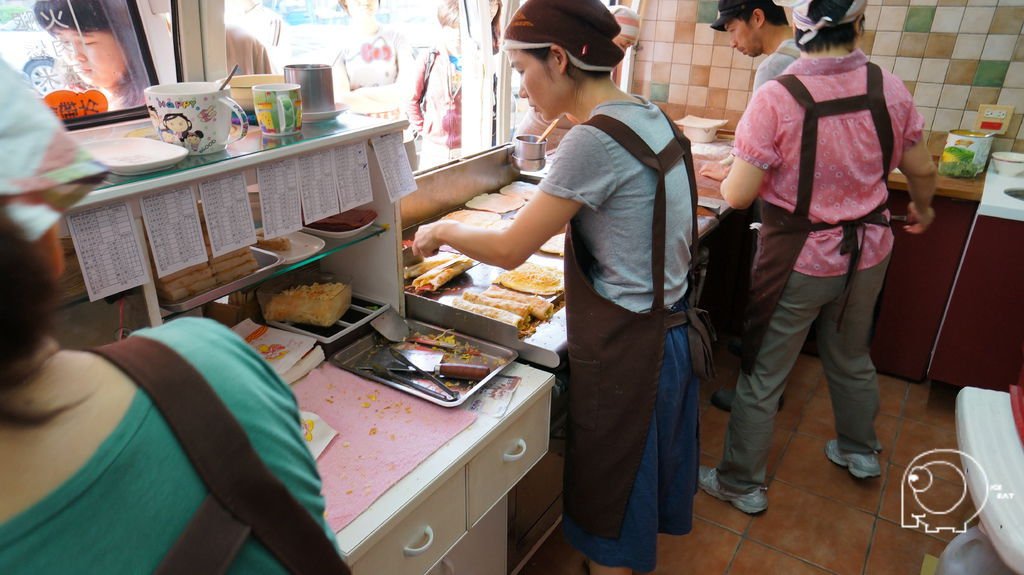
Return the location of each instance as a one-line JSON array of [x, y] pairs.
[[109, 250]]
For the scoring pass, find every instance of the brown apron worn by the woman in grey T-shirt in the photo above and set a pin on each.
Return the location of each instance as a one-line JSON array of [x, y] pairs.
[[616, 357]]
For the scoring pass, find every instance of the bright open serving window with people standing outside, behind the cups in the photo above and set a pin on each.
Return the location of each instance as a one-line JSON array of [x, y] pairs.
[[387, 56]]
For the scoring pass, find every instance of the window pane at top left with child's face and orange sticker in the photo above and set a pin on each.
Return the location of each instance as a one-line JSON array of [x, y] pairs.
[[88, 59]]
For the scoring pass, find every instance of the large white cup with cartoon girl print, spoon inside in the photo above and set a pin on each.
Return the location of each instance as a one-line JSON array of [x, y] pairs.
[[195, 115]]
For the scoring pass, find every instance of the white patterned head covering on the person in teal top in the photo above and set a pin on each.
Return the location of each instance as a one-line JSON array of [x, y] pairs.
[[42, 171]]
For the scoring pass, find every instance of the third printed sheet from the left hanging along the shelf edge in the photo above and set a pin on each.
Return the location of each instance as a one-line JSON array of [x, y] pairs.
[[229, 217]]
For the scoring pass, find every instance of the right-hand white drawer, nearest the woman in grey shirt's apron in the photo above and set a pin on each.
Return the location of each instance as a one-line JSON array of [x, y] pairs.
[[505, 461]]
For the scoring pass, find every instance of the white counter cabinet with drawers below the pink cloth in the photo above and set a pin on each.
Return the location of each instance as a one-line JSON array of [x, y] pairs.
[[417, 522]]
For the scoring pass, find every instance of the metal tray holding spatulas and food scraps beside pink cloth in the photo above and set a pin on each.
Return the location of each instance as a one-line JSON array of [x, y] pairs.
[[374, 348]]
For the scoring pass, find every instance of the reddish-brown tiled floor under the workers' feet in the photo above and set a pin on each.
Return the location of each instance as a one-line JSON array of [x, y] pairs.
[[820, 519]]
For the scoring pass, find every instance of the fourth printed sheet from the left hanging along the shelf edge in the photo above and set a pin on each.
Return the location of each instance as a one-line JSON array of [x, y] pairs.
[[281, 206]]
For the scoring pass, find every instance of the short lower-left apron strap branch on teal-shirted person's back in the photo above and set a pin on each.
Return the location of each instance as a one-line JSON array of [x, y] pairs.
[[209, 543]]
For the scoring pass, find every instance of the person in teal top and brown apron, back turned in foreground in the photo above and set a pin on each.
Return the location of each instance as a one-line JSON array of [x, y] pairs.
[[95, 480]]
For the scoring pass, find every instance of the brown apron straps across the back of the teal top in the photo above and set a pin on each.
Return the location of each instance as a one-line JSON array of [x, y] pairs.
[[246, 500]]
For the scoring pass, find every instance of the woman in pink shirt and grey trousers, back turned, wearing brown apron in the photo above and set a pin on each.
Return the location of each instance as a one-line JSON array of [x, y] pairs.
[[818, 148]]
